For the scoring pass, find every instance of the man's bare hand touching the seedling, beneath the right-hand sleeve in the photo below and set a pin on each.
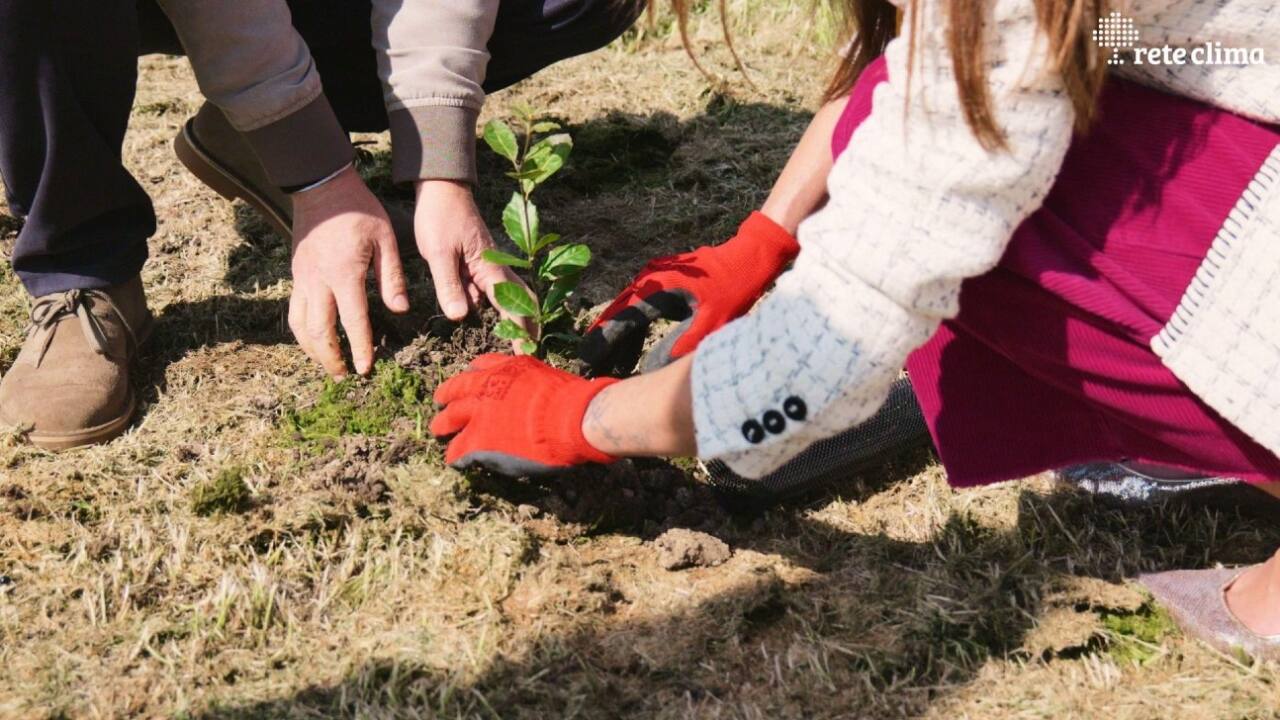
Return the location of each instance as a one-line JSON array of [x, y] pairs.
[[452, 238]]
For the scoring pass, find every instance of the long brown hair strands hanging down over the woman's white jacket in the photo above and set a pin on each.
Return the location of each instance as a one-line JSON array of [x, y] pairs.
[[868, 26]]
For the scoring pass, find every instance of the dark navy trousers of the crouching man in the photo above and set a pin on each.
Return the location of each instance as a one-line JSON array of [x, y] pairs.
[[68, 71]]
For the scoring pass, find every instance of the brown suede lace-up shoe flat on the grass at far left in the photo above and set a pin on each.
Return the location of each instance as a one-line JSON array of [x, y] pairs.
[[70, 386]]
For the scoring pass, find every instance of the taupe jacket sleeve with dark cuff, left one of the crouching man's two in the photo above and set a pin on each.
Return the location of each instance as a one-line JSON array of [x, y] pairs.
[[255, 67]]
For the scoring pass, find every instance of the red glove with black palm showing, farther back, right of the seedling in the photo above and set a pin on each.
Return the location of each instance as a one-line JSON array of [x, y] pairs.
[[705, 290]]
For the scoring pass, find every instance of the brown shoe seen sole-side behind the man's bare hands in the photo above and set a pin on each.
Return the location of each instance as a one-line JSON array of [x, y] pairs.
[[221, 158]]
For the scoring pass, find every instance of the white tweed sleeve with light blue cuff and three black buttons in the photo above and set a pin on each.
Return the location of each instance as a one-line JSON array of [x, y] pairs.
[[916, 207]]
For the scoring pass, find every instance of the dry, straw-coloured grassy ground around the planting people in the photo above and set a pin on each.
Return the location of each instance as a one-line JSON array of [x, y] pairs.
[[246, 553]]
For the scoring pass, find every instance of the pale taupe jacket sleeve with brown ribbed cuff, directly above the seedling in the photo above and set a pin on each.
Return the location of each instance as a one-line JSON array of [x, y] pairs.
[[432, 58]]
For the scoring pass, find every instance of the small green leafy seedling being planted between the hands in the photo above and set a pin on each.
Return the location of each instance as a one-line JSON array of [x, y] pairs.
[[551, 268]]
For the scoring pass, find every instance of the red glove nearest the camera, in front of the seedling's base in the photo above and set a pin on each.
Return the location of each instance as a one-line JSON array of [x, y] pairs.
[[516, 417]]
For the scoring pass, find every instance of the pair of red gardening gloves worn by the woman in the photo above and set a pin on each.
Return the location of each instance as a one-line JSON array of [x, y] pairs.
[[520, 417]]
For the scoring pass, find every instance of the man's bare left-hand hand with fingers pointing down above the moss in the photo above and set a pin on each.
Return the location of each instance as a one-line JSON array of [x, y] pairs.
[[340, 231]]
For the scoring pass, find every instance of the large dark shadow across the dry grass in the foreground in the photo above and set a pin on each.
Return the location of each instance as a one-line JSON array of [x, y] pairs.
[[888, 628]]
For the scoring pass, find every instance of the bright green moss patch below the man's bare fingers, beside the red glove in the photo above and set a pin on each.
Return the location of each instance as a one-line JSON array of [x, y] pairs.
[[358, 407]]
